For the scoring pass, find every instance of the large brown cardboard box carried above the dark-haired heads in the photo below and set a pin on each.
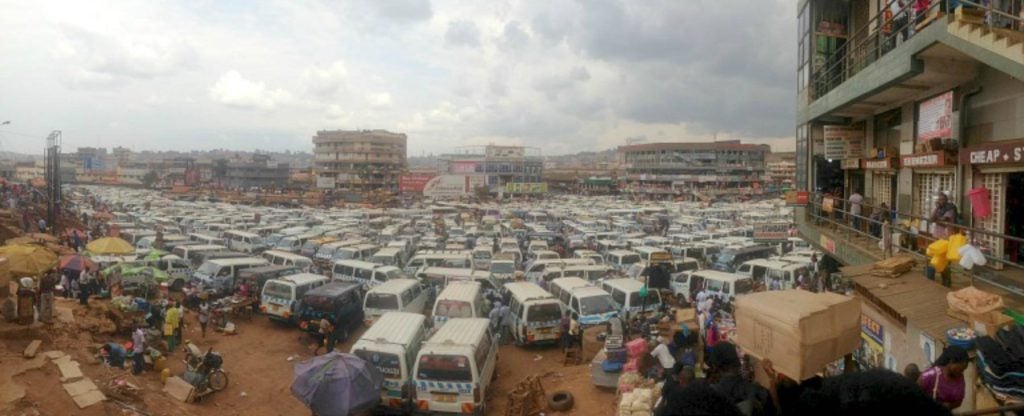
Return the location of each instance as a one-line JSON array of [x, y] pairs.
[[801, 332]]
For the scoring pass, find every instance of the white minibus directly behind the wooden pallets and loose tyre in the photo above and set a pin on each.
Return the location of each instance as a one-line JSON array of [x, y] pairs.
[[535, 314]]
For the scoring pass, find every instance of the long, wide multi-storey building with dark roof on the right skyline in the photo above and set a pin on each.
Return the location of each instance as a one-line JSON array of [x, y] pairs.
[[677, 169]]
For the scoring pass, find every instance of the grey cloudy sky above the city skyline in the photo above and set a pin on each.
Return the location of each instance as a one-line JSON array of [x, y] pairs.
[[563, 75]]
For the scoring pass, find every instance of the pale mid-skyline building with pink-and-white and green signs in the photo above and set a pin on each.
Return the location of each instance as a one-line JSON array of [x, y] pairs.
[[497, 168]]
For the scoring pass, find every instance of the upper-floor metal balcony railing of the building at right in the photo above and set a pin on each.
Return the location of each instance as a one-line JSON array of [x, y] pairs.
[[885, 32]]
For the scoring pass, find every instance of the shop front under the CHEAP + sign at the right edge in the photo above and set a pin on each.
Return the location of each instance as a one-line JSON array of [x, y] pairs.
[[998, 170]]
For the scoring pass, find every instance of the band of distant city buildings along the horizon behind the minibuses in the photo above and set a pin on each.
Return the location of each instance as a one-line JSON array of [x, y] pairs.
[[355, 164]]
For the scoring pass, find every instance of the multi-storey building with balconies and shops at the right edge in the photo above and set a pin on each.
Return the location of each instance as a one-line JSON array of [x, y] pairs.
[[902, 104]]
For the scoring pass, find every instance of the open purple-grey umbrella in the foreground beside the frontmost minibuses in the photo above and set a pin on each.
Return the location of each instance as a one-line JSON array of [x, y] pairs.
[[337, 385]]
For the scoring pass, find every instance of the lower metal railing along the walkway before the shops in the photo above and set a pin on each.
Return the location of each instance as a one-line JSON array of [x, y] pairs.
[[841, 220]]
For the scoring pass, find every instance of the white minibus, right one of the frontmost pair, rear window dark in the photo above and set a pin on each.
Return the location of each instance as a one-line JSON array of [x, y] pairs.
[[454, 368]]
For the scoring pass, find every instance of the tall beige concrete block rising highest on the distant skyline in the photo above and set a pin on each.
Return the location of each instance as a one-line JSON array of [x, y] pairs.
[[356, 162]]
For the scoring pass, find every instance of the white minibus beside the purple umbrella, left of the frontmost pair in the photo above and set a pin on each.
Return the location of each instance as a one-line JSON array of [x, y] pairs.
[[392, 345]]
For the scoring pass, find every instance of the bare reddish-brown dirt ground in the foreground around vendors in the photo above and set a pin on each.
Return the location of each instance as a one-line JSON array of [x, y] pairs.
[[260, 371]]
